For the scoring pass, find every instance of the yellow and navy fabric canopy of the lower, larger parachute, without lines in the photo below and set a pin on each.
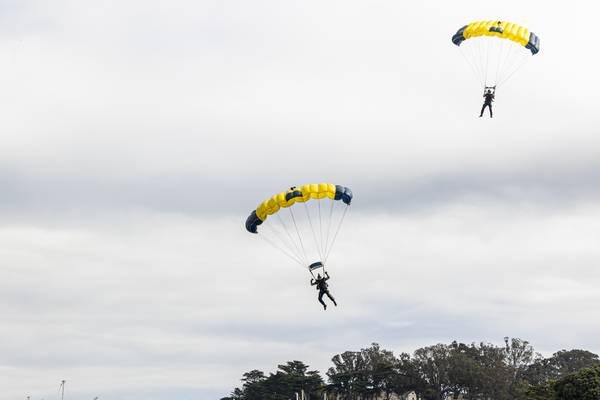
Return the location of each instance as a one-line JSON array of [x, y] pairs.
[[296, 195]]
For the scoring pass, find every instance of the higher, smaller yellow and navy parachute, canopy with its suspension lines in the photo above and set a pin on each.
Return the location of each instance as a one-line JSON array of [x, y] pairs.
[[495, 50]]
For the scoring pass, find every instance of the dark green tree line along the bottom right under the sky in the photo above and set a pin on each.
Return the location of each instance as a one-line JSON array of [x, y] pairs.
[[476, 371]]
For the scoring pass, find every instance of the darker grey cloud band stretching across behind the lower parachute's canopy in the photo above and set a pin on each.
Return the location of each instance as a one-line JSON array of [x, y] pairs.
[[539, 185]]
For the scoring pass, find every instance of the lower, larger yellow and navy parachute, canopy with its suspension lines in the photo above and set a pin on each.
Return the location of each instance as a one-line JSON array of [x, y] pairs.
[[303, 222]]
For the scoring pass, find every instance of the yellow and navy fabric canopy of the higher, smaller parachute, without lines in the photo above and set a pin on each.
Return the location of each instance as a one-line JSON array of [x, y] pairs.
[[501, 29]]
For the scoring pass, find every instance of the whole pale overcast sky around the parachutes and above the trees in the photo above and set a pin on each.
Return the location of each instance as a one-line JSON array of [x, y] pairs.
[[137, 136]]
